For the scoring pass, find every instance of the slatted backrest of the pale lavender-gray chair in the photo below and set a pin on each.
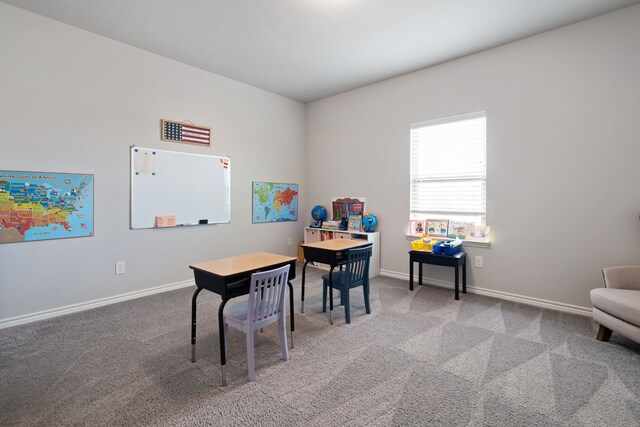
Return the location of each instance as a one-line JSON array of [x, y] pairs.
[[267, 294]]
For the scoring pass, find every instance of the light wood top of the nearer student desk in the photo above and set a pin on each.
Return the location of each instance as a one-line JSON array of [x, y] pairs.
[[241, 263]]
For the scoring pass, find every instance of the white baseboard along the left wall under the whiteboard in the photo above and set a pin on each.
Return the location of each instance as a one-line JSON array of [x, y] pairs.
[[74, 308]]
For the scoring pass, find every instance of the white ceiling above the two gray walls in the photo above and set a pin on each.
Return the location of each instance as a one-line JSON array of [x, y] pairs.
[[311, 49]]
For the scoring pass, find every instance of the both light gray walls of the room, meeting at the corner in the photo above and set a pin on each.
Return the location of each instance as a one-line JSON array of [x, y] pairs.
[[563, 194]]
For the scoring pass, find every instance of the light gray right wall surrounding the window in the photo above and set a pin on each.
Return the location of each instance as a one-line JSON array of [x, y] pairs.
[[563, 179]]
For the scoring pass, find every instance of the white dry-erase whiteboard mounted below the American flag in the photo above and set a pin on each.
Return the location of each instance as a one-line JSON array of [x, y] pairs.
[[193, 187]]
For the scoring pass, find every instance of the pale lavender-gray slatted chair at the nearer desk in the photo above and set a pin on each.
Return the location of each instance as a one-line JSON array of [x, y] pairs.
[[266, 305]]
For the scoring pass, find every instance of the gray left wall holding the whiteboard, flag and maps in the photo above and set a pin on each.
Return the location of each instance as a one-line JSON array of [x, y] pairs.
[[73, 101]]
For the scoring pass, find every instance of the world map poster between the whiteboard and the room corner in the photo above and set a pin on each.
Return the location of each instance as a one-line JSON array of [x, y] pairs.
[[273, 202]]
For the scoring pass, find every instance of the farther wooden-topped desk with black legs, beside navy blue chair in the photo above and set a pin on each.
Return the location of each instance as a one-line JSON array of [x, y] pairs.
[[330, 252]]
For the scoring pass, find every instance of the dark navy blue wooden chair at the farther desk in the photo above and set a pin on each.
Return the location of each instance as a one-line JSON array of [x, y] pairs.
[[355, 273]]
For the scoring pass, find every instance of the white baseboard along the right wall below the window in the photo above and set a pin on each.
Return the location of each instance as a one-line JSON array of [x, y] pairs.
[[538, 302]]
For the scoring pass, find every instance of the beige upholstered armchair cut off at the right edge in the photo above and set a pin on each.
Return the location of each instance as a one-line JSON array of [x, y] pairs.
[[616, 307]]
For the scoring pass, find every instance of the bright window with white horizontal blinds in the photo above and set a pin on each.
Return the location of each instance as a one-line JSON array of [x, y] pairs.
[[448, 169]]
